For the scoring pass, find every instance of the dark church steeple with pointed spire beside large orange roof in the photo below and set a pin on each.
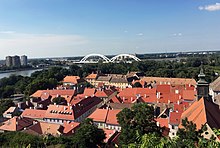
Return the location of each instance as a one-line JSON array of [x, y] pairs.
[[202, 86]]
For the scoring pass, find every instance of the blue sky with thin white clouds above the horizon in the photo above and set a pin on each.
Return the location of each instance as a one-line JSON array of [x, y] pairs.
[[56, 28]]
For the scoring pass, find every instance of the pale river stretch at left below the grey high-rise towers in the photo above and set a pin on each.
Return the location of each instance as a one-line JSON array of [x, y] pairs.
[[23, 73]]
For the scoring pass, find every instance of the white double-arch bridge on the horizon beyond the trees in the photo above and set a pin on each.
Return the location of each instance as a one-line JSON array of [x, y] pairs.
[[95, 58]]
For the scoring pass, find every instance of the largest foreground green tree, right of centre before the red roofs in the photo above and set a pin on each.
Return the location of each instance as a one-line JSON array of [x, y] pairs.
[[140, 118]]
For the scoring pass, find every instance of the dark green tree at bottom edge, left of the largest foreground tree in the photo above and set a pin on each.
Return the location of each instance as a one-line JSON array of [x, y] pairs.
[[88, 135]]
